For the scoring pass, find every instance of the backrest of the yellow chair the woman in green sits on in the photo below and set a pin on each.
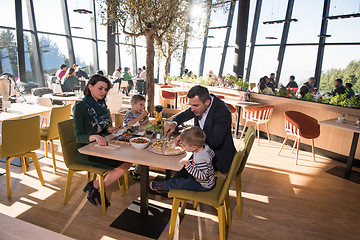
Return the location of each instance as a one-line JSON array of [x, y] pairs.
[[68, 141]]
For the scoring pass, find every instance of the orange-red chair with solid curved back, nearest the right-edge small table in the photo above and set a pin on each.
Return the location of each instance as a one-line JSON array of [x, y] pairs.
[[300, 125]]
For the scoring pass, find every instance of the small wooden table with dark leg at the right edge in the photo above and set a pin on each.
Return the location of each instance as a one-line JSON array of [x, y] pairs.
[[347, 126]]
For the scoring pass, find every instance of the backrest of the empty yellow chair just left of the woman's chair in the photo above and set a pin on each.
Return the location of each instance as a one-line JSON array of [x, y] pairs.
[[58, 114]]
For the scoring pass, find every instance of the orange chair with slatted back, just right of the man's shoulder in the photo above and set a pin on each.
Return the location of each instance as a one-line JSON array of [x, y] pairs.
[[259, 114]]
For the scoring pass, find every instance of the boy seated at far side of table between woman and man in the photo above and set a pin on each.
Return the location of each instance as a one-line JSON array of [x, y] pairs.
[[137, 113]]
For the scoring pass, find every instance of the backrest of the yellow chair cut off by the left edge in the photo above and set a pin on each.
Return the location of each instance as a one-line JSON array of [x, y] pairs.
[[20, 136]]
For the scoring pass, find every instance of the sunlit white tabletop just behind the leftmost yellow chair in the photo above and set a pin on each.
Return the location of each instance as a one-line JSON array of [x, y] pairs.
[[20, 110]]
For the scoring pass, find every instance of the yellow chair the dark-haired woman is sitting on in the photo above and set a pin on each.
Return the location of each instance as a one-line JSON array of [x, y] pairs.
[[68, 145]]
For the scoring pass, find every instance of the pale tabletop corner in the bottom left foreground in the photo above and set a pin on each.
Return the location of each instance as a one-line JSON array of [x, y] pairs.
[[17, 229]]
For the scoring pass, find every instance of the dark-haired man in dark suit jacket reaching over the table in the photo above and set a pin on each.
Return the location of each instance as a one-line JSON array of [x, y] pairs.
[[214, 117]]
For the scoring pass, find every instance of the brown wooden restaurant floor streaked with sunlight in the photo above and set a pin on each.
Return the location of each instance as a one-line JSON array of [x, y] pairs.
[[281, 201]]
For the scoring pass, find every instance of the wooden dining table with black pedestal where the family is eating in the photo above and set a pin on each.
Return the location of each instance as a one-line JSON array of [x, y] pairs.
[[145, 158]]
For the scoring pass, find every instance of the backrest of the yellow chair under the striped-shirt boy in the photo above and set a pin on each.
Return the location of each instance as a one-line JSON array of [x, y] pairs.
[[235, 165]]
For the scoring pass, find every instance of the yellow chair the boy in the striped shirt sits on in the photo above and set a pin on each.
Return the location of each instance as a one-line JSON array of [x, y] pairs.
[[218, 197]]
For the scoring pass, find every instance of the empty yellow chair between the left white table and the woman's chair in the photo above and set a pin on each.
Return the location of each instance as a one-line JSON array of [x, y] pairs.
[[51, 133]]
